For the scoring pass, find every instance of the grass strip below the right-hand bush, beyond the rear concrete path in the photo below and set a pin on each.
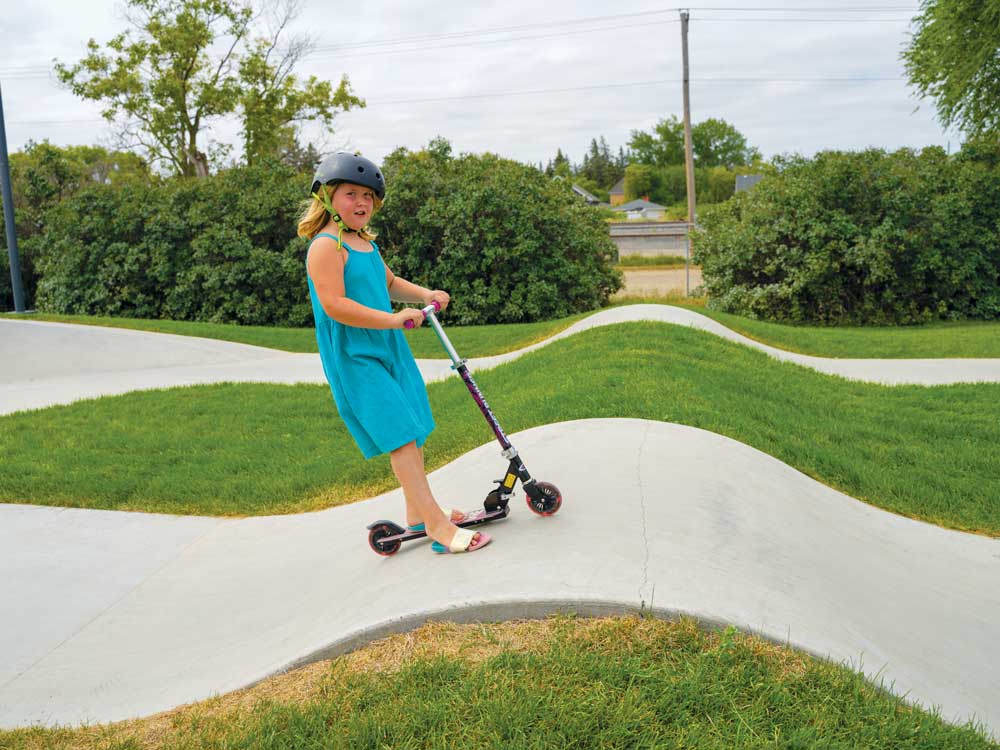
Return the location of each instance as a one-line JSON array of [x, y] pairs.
[[942, 339]]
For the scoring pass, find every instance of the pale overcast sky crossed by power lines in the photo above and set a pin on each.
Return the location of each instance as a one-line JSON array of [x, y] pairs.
[[788, 79]]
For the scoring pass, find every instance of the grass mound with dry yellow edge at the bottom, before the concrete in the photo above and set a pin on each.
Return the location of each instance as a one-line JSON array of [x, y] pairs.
[[566, 683]]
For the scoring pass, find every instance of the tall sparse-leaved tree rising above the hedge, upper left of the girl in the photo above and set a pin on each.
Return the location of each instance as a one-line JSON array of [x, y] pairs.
[[164, 85]]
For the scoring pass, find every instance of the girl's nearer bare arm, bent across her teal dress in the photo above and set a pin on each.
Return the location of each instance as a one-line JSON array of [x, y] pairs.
[[326, 269]]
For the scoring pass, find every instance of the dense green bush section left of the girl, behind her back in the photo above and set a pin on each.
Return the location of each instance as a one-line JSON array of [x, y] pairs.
[[217, 249]]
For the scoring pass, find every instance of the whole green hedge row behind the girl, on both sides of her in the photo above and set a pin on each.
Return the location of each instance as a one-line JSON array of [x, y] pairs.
[[506, 242]]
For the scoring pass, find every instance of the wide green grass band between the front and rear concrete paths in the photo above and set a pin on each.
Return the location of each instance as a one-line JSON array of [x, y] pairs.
[[929, 453]]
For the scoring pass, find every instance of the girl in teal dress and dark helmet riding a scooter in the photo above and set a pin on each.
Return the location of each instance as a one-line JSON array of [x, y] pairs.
[[376, 385]]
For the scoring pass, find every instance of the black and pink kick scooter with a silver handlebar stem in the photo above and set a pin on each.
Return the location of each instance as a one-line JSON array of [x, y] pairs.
[[544, 498]]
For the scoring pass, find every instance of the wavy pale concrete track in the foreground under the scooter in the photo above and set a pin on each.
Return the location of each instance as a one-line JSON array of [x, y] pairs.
[[115, 615]]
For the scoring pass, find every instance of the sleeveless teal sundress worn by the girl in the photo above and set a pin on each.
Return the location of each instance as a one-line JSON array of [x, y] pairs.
[[376, 385]]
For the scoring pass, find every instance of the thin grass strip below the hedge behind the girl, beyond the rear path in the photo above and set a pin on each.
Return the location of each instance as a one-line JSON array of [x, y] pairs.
[[469, 341]]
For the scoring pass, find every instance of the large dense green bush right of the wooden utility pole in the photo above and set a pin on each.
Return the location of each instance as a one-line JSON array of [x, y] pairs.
[[860, 238]]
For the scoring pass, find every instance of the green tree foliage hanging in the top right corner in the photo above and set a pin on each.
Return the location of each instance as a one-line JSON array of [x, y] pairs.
[[954, 59]]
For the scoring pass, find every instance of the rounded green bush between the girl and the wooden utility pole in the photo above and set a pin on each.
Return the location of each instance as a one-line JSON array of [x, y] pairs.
[[508, 243]]
